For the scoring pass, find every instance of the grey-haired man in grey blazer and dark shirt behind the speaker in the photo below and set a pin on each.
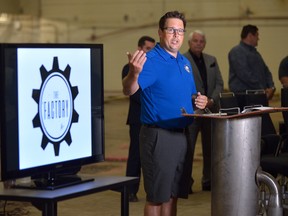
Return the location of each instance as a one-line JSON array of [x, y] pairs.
[[209, 82]]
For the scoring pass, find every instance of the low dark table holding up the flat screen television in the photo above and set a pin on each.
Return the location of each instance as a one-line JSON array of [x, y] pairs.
[[49, 198]]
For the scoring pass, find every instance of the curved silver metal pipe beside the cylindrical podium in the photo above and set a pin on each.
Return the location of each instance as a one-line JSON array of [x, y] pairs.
[[275, 202]]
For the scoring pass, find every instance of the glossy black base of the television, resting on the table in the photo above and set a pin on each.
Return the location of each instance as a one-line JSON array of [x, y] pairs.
[[59, 181]]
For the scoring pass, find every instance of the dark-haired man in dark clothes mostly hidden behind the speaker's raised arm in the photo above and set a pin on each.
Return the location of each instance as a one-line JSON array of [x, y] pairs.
[[133, 169]]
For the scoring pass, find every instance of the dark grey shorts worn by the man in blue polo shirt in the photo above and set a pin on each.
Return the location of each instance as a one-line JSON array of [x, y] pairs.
[[164, 161]]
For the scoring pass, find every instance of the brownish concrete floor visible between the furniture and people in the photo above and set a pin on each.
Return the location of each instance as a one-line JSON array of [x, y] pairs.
[[116, 145]]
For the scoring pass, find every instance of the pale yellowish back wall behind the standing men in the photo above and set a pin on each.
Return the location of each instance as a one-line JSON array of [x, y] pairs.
[[119, 23]]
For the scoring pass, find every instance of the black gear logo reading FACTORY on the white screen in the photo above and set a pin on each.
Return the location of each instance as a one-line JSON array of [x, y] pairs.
[[55, 100]]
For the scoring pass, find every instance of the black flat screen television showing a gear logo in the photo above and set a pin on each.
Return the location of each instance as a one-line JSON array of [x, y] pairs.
[[51, 114]]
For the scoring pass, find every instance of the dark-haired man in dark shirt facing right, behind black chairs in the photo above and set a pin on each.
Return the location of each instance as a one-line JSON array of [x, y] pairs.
[[247, 69]]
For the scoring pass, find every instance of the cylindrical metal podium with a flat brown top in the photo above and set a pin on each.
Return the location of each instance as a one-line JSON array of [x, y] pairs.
[[235, 163]]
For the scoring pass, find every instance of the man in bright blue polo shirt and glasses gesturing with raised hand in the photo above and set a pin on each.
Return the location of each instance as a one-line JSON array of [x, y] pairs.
[[167, 84]]
